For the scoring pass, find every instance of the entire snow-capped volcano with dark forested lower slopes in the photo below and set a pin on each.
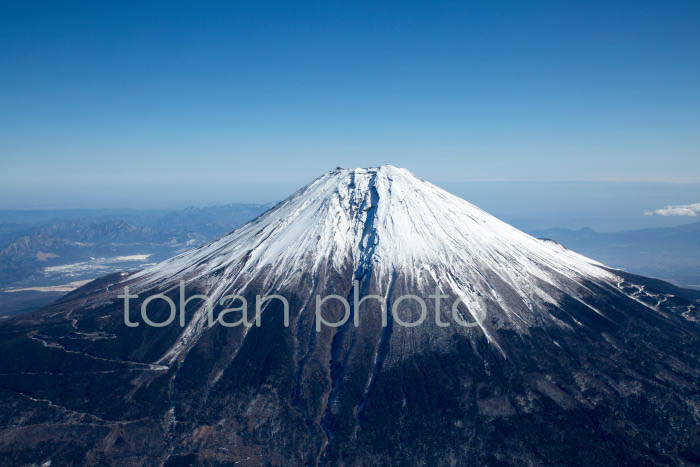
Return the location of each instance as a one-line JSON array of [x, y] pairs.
[[563, 360]]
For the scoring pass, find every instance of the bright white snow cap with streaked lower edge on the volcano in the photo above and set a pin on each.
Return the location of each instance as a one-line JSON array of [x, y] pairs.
[[376, 225]]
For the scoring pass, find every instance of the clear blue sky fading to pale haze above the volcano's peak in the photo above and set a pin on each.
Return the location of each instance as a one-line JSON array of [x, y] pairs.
[[119, 94]]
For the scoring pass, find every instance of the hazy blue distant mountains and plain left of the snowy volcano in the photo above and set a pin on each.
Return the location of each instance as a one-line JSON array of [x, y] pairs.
[[51, 248]]
